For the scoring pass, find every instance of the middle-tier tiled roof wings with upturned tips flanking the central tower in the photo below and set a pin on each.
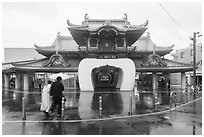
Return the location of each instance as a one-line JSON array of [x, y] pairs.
[[68, 45]]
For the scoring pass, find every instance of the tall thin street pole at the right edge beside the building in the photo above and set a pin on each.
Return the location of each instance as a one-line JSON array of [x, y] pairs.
[[194, 59]]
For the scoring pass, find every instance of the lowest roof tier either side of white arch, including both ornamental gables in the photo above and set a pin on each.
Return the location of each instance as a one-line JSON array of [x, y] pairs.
[[154, 63]]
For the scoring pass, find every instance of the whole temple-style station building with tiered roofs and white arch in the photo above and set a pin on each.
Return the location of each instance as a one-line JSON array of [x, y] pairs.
[[100, 43]]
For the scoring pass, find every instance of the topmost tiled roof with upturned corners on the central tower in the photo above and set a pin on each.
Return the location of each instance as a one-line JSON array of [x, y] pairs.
[[122, 27]]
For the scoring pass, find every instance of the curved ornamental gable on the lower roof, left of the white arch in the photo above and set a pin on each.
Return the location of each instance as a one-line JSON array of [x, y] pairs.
[[56, 60]]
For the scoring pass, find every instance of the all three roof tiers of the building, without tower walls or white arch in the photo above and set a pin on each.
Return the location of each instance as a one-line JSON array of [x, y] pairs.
[[65, 53]]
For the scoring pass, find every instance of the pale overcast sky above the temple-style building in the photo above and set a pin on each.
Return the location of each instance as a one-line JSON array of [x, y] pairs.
[[26, 24]]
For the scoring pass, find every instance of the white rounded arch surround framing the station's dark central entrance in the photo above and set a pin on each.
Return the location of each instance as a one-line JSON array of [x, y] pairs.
[[127, 76]]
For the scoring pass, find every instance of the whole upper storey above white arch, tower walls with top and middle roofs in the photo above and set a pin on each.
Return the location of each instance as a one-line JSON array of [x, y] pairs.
[[90, 38]]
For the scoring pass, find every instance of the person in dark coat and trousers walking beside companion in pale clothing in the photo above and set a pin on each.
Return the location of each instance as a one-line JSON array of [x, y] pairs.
[[56, 94]]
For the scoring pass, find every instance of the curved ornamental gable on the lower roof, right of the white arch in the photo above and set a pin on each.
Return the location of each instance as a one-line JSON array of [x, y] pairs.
[[154, 60]]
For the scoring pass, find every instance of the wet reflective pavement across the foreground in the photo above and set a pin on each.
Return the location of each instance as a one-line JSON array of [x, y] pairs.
[[123, 113]]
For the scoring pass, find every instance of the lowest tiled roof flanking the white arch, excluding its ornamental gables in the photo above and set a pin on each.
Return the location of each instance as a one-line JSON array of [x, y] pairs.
[[38, 66]]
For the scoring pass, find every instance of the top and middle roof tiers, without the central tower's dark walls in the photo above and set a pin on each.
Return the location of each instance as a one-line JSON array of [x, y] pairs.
[[71, 45]]
